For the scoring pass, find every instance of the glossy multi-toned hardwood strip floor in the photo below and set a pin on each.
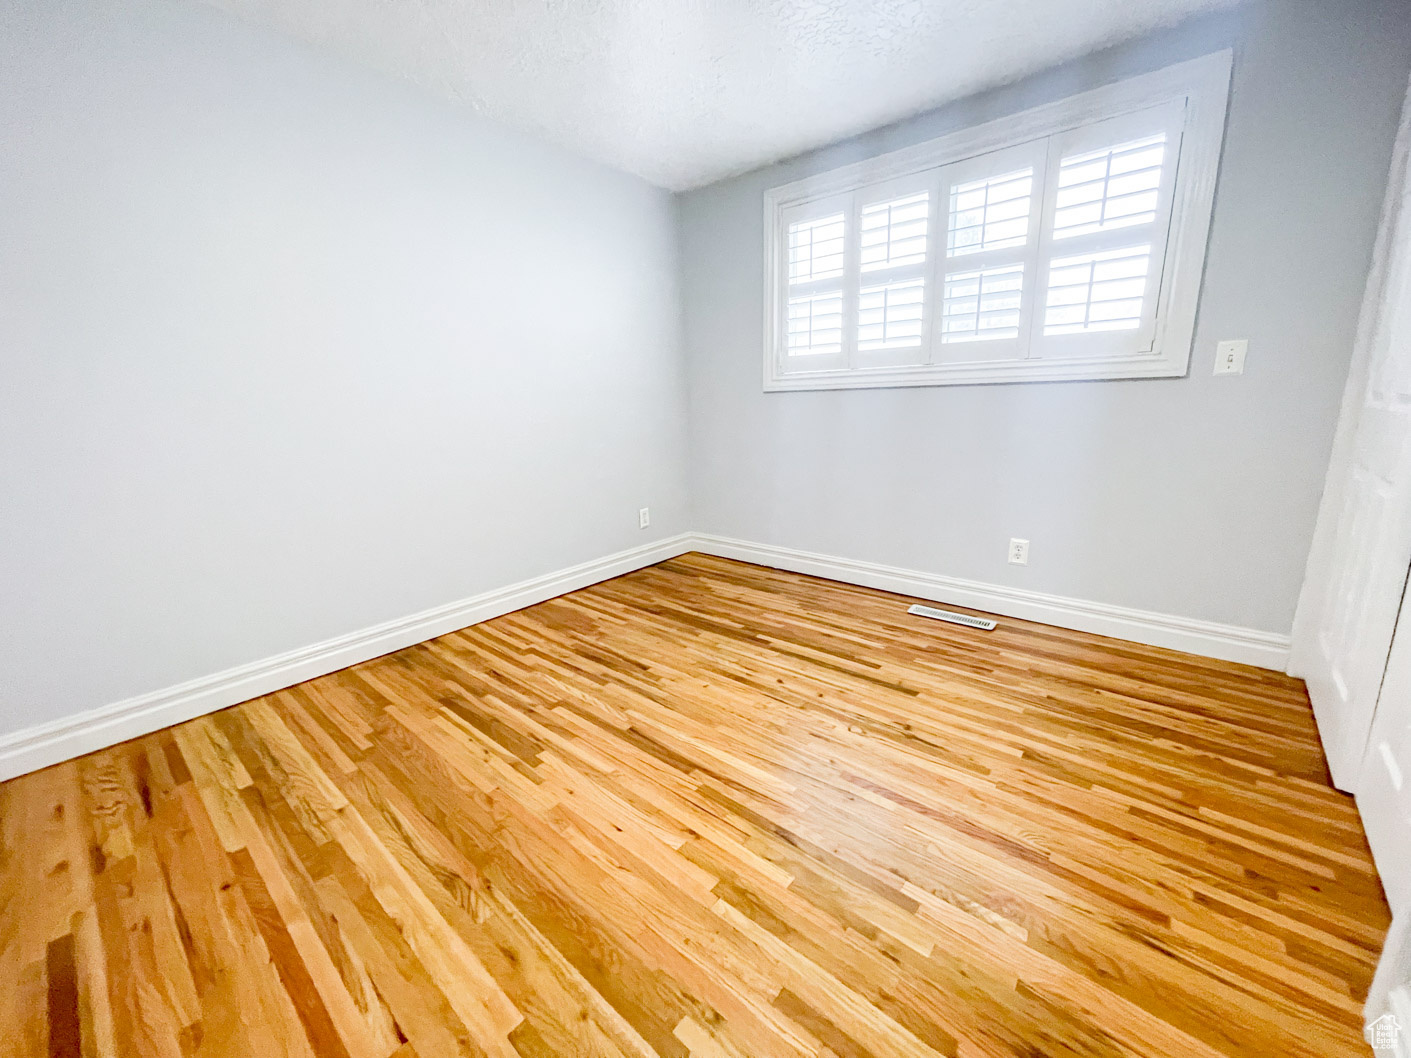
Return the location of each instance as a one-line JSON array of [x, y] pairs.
[[706, 809]]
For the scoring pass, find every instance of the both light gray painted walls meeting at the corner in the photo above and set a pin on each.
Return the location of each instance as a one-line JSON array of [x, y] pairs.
[[289, 351]]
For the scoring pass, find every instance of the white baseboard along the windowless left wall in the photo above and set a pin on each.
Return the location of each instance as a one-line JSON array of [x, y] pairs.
[[71, 737]]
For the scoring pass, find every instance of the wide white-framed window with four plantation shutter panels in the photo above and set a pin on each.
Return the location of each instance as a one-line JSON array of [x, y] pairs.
[[1063, 243]]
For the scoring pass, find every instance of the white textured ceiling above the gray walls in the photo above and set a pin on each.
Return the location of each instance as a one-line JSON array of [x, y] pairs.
[[685, 92]]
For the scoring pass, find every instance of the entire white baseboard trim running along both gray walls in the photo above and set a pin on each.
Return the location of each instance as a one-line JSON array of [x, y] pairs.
[[71, 737]]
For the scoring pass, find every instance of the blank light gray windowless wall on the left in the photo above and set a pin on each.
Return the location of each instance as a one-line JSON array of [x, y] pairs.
[[289, 351]]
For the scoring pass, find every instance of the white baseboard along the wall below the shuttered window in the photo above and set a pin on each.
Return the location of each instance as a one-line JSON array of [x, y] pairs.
[[1206, 638]]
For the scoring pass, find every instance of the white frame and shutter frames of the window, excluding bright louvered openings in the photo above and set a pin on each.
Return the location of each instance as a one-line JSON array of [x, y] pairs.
[[1193, 94]]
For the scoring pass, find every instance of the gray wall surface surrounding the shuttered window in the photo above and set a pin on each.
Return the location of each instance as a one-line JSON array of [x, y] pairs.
[[1194, 497]]
